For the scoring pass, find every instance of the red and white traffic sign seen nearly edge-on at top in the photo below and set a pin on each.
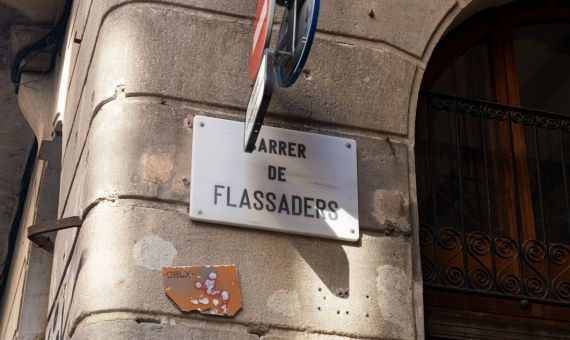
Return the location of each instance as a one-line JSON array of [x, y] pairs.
[[262, 26]]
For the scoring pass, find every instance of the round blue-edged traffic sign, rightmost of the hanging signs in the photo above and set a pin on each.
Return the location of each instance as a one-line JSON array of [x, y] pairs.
[[295, 39]]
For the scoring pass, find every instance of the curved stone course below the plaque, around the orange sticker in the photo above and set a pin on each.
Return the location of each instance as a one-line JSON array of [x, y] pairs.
[[287, 281]]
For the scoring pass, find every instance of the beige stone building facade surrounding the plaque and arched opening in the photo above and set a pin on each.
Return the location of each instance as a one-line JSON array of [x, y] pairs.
[[113, 122]]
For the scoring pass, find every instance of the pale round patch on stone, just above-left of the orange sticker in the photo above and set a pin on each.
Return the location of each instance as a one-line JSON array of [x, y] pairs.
[[153, 252]]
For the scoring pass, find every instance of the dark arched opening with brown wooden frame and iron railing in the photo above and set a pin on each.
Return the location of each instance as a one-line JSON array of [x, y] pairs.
[[493, 172]]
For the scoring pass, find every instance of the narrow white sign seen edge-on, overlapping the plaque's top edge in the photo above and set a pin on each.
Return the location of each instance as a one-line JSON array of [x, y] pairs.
[[259, 101]]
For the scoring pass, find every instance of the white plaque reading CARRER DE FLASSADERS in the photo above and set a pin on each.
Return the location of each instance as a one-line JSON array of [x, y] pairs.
[[294, 182]]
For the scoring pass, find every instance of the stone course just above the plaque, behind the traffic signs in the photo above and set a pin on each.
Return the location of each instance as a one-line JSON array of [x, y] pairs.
[[348, 84]]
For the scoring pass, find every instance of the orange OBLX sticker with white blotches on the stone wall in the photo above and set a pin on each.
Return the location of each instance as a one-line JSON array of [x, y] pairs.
[[213, 290]]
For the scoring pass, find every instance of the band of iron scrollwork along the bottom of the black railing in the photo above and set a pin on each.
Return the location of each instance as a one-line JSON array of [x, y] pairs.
[[500, 266]]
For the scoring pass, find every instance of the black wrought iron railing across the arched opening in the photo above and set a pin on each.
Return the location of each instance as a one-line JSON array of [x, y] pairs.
[[467, 242]]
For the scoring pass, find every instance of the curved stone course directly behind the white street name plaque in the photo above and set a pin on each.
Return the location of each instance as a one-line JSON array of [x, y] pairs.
[[155, 164]]
